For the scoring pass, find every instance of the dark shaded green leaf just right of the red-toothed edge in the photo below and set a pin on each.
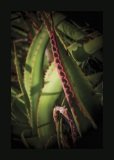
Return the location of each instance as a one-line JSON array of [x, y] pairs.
[[82, 88]]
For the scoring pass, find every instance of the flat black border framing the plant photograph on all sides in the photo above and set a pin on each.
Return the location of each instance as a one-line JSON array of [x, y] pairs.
[[108, 30]]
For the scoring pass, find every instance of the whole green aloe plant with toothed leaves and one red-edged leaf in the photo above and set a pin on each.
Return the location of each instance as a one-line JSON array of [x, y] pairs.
[[45, 85]]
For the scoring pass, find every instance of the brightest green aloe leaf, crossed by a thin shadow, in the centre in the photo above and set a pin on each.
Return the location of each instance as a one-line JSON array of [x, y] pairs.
[[50, 93]]
